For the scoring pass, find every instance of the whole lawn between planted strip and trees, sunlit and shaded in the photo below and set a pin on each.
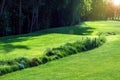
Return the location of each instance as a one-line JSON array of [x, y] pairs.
[[32, 45]]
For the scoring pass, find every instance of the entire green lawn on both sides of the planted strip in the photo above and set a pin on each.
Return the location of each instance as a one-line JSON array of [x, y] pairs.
[[102, 63]]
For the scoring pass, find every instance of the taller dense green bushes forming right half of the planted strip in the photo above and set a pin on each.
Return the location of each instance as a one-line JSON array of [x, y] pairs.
[[72, 48]]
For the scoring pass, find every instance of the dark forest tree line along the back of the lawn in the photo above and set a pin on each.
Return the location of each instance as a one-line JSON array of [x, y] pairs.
[[26, 16]]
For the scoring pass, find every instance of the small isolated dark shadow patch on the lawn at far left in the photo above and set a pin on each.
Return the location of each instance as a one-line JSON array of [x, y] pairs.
[[9, 47]]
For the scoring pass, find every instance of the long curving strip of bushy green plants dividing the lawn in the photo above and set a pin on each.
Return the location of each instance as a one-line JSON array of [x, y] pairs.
[[84, 44]]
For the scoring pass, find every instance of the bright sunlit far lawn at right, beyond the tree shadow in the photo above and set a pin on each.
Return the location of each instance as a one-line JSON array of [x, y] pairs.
[[105, 26]]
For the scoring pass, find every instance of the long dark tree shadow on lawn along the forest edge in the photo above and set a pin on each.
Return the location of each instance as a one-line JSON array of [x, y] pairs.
[[80, 29]]
